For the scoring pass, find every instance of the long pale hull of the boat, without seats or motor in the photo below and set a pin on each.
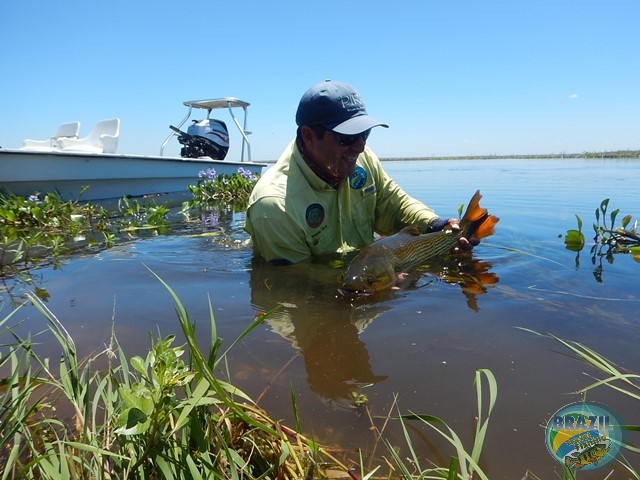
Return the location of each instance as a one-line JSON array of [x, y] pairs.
[[108, 176]]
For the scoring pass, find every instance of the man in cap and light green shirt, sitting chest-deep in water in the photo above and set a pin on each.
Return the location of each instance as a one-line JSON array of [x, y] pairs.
[[328, 192]]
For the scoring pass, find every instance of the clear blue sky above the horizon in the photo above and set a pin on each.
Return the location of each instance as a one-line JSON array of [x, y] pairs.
[[449, 77]]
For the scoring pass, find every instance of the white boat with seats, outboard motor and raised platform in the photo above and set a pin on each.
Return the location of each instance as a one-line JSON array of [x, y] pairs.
[[67, 164]]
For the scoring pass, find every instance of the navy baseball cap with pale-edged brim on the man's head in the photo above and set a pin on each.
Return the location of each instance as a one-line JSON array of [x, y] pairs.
[[336, 106]]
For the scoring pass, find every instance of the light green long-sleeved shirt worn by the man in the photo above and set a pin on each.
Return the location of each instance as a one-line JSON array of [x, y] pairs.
[[293, 215]]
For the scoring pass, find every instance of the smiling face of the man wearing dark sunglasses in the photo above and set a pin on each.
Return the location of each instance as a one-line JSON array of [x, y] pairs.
[[336, 154]]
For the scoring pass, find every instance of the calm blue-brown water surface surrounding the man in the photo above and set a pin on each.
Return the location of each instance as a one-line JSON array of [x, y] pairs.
[[422, 343]]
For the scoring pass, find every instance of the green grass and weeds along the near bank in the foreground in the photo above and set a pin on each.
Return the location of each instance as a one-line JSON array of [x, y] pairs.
[[174, 414]]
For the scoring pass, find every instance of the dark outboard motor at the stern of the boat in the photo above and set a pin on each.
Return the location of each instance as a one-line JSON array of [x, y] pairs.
[[204, 138]]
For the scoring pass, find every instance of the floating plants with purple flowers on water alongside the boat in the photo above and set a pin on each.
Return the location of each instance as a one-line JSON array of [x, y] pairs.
[[45, 228]]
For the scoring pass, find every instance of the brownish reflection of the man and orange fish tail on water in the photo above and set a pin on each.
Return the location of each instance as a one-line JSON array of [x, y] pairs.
[[325, 326]]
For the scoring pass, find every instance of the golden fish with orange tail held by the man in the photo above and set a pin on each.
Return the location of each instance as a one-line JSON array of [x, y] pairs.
[[378, 265]]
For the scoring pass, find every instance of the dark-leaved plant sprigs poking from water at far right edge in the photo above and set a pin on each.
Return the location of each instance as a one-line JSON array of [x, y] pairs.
[[609, 239]]
